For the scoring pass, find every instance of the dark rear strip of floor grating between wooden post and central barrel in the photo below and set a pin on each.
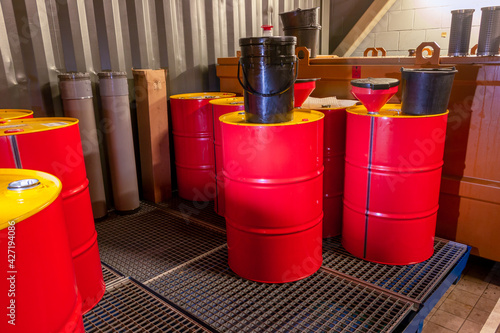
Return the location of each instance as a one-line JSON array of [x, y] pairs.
[[202, 211]]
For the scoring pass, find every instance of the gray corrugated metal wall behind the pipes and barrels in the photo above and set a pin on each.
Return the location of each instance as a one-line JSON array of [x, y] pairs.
[[41, 38]]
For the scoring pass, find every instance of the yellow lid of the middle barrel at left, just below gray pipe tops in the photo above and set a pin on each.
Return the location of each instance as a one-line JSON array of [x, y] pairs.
[[31, 125]]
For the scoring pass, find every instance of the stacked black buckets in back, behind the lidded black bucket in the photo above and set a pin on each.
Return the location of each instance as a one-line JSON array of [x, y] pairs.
[[303, 24]]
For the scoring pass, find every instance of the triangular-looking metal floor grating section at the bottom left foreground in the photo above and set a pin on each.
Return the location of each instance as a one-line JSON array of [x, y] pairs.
[[128, 307]]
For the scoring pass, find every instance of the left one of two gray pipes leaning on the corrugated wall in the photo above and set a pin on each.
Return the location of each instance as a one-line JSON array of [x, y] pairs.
[[76, 94]]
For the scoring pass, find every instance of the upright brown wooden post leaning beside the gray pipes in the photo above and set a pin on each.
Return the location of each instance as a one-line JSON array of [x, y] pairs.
[[152, 121]]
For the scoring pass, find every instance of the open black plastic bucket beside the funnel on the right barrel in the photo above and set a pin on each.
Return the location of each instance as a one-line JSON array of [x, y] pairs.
[[426, 90]]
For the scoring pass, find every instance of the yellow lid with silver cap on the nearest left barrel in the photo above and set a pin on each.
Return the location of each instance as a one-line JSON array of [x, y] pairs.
[[24, 193]]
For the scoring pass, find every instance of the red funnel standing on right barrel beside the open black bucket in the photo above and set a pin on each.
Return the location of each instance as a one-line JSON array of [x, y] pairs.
[[374, 92]]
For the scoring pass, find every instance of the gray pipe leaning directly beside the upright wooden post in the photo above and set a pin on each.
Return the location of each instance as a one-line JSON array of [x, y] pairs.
[[113, 88]]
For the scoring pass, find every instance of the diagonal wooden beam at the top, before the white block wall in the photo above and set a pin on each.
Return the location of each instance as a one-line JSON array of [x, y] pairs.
[[363, 27]]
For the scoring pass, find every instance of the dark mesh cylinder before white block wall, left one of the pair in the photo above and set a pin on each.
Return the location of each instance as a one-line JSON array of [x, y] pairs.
[[461, 24]]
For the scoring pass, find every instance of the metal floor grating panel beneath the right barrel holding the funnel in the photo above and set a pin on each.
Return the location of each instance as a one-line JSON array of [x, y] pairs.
[[415, 281]]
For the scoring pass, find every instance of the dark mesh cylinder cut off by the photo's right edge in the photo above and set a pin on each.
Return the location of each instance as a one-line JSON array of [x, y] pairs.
[[489, 31]]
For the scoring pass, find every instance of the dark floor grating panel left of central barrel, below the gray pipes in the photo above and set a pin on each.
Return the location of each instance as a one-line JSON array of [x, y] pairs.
[[151, 241]]
